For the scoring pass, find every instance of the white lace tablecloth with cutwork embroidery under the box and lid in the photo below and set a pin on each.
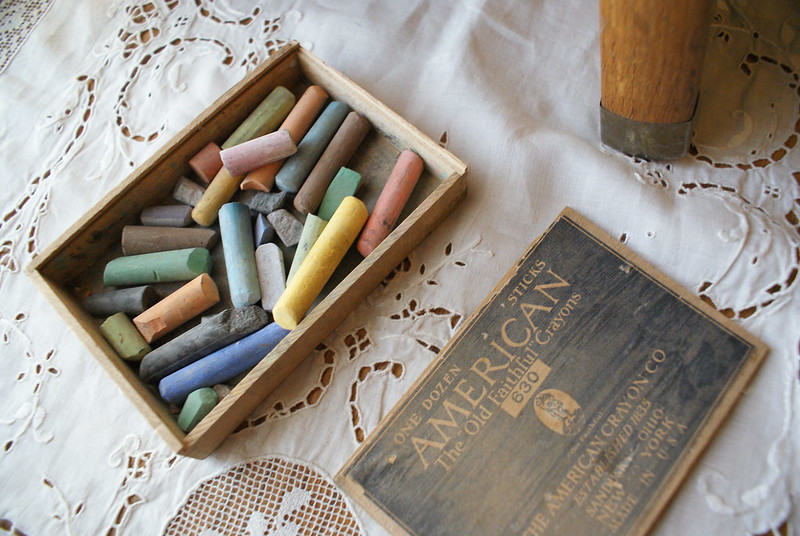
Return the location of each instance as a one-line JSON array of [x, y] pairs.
[[91, 88]]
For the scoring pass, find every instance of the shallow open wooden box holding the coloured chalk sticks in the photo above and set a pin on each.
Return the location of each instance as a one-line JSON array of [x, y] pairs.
[[71, 268]]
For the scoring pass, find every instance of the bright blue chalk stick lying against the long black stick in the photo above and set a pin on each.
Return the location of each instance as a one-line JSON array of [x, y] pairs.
[[221, 365]]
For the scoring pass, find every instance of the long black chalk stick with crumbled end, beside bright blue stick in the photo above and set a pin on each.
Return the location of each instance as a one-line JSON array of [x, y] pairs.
[[212, 333]]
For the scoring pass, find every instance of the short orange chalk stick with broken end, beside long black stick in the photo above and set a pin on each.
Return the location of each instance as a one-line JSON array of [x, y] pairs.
[[185, 303]]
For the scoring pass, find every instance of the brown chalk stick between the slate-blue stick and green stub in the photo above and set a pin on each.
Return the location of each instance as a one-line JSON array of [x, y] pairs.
[[337, 154]]
